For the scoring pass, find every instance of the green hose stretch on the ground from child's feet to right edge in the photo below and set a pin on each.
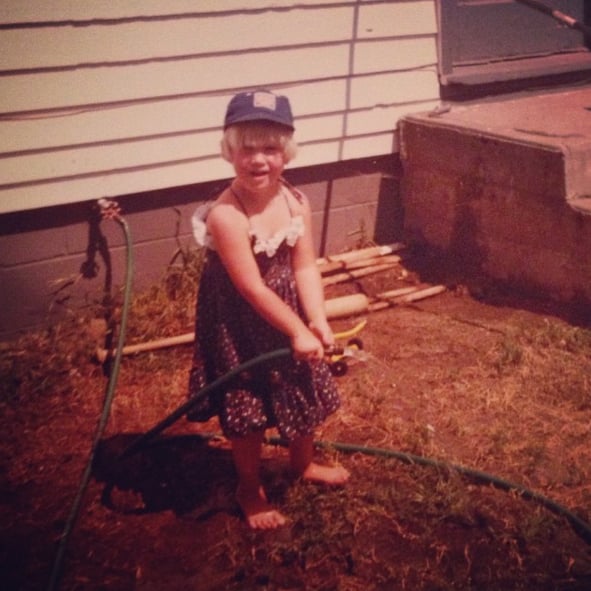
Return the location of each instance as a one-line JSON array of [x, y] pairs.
[[581, 528]]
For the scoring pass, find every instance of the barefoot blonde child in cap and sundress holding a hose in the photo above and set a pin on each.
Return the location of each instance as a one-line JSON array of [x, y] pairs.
[[260, 290]]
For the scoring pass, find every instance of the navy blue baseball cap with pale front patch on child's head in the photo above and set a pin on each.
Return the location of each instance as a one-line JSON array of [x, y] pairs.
[[259, 105]]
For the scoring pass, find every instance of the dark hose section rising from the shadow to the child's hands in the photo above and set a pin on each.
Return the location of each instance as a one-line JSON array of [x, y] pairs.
[[187, 406]]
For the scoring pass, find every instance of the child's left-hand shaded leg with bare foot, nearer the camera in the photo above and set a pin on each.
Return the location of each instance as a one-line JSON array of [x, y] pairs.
[[250, 495]]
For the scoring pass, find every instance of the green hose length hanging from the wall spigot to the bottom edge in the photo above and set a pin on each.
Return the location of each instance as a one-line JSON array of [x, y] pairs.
[[110, 392]]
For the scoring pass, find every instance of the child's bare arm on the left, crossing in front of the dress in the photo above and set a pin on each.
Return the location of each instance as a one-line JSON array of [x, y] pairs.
[[229, 229]]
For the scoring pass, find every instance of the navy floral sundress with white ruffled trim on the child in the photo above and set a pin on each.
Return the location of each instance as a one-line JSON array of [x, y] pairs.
[[294, 396]]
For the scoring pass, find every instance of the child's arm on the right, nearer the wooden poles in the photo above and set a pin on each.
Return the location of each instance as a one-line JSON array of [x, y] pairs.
[[308, 280]]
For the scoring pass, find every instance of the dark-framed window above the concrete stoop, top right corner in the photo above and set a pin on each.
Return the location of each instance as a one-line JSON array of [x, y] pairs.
[[476, 50]]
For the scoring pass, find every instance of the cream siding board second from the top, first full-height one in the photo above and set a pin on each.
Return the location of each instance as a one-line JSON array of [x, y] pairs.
[[141, 41]]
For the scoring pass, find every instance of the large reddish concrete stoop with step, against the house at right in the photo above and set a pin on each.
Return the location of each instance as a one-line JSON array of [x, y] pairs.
[[507, 185]]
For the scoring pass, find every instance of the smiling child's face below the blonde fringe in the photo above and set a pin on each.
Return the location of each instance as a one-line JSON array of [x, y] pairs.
[[258, 166]]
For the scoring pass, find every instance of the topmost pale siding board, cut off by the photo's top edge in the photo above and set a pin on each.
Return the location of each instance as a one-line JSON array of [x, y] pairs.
[[57, 11]]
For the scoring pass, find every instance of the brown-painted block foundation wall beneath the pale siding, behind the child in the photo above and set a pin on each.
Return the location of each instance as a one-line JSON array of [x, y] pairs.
[[56, 259]]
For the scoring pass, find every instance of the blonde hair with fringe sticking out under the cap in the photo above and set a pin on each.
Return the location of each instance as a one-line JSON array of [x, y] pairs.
[[258, 133]]
